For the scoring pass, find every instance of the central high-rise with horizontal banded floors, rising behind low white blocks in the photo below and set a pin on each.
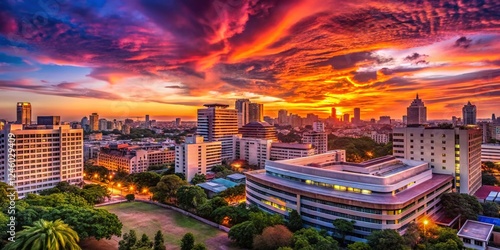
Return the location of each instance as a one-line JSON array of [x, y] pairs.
[[218, 123]]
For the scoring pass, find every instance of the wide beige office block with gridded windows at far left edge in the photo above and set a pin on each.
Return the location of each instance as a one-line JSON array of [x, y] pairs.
[[45, 156]]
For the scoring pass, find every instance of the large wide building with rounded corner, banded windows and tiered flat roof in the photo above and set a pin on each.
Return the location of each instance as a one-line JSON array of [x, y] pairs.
[[383, 193]]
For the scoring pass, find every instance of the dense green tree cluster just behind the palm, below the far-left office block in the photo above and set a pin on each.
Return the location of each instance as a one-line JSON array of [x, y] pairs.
[[70, 204]]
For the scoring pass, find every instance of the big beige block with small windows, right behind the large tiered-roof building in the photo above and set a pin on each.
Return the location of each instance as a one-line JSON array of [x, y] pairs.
[[453, 151]]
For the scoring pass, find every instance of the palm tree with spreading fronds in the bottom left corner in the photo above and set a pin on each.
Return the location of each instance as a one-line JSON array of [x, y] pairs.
[[46, 235]]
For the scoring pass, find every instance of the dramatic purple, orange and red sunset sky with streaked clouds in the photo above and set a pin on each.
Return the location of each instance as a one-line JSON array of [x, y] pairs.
[[166, 58]]
